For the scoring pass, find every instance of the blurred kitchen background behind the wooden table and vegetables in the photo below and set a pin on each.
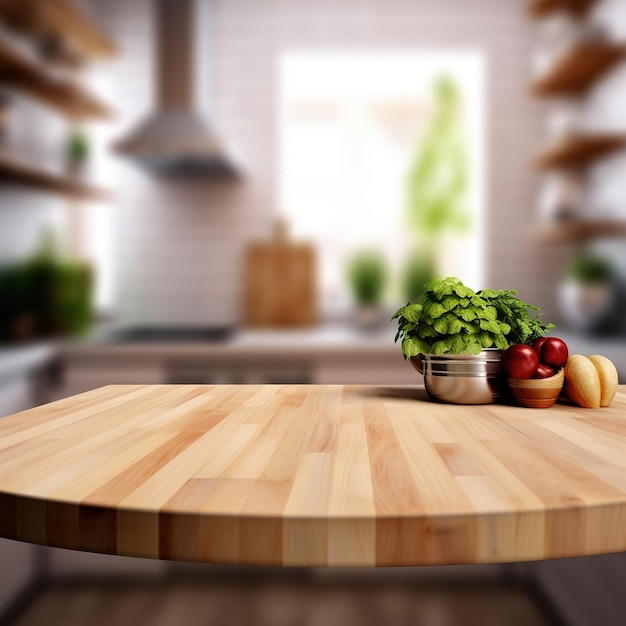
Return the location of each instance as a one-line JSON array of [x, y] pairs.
[[243, 191]]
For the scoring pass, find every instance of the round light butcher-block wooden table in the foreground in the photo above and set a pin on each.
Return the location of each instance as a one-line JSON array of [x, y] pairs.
[[313, 476]]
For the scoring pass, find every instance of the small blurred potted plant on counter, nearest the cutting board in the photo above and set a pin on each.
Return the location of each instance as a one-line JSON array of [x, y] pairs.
[[367, 278]]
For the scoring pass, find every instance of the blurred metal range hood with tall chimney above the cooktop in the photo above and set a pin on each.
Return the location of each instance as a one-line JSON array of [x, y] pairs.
[[175, 139]]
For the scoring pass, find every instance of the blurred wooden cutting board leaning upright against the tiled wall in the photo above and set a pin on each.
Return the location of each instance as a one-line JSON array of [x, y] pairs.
[[280, 284]]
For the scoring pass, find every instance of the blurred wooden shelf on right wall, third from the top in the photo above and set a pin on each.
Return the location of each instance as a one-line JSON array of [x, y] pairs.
[[580, 151]]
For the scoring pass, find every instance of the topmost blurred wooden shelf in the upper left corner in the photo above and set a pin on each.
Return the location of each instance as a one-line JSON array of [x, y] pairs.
[[62, 19]]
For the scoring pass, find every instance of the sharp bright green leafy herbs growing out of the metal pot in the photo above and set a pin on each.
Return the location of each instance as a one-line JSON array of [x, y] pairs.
[[451, 318]]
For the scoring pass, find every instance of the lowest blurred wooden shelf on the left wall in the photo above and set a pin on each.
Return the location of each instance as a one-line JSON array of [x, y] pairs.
[[17, 172]]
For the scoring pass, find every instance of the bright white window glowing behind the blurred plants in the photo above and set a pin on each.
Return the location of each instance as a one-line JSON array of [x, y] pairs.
[[352, 127]]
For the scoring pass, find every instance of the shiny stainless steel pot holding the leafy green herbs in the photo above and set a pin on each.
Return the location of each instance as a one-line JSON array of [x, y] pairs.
[[462, 378]]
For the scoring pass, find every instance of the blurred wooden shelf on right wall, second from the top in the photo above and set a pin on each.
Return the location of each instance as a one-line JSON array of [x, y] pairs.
[[579, 68]]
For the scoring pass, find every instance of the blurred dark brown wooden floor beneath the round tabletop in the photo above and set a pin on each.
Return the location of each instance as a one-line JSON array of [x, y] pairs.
[[280, 603]]
